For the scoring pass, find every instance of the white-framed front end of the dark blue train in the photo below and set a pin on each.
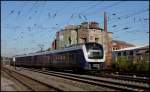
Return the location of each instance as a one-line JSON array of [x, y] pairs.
[[94, 55]]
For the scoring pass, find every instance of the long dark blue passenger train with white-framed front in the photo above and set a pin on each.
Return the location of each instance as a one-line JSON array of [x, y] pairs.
[[80, 57]]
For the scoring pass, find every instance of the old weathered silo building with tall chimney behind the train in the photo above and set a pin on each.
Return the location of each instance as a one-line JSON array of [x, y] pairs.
[[85, 32]]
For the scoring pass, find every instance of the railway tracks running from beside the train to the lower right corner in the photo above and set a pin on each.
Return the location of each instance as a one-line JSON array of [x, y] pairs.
[[119, 84]]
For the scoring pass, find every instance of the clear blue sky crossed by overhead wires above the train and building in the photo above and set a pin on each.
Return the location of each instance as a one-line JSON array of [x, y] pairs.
[[27, 24]]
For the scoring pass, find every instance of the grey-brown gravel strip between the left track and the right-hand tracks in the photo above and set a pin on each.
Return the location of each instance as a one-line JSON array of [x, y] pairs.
[[69, 83]]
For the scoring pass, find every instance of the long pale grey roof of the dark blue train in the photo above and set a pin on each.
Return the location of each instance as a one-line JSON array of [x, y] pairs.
[[73, 47]]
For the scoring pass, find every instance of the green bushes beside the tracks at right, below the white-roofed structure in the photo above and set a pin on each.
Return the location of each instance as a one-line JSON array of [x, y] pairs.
[[122, 64]]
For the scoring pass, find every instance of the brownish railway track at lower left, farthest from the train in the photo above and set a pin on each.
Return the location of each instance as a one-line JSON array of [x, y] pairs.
[[28, 82]]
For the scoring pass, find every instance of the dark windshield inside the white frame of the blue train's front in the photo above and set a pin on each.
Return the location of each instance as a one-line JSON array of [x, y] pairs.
[[94, 50]]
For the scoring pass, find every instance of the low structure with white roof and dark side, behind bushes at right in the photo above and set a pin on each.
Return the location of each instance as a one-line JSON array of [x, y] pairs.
[[139, 53]]
